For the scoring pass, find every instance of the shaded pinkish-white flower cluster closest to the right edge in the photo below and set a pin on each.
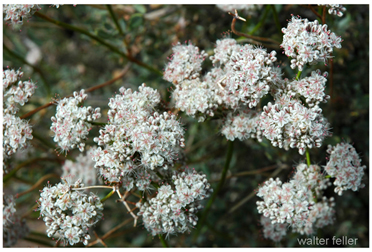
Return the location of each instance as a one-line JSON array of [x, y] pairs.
[[345, 165]]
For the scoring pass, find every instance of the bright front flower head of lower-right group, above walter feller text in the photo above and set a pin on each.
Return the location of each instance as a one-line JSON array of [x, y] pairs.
[[285, 202]]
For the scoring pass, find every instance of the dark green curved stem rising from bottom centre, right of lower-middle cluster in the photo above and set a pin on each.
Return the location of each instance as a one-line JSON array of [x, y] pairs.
[[219, 186]]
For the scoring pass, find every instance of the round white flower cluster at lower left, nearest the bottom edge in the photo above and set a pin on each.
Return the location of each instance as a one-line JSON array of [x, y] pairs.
[[69, 212]]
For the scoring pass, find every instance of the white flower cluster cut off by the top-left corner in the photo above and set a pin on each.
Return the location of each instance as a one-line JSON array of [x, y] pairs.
[[17, 13]]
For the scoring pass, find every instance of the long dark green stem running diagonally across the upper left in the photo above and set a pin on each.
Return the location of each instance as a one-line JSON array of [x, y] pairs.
[[101, 41]]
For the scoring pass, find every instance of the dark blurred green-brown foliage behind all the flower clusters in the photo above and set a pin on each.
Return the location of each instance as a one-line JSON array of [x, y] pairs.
[[62, 60]]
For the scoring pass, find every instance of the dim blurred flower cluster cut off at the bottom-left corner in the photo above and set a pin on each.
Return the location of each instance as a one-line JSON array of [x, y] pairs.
[[13, 227]]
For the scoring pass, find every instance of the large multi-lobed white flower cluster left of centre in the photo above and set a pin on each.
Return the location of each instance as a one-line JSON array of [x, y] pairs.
[[137, 137]]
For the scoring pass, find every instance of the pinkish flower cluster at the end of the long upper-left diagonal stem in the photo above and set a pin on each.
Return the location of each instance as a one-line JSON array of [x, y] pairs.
[[185, 63]]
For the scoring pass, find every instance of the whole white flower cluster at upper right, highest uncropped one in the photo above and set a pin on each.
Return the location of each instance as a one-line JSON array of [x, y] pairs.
[[308, 42]]
